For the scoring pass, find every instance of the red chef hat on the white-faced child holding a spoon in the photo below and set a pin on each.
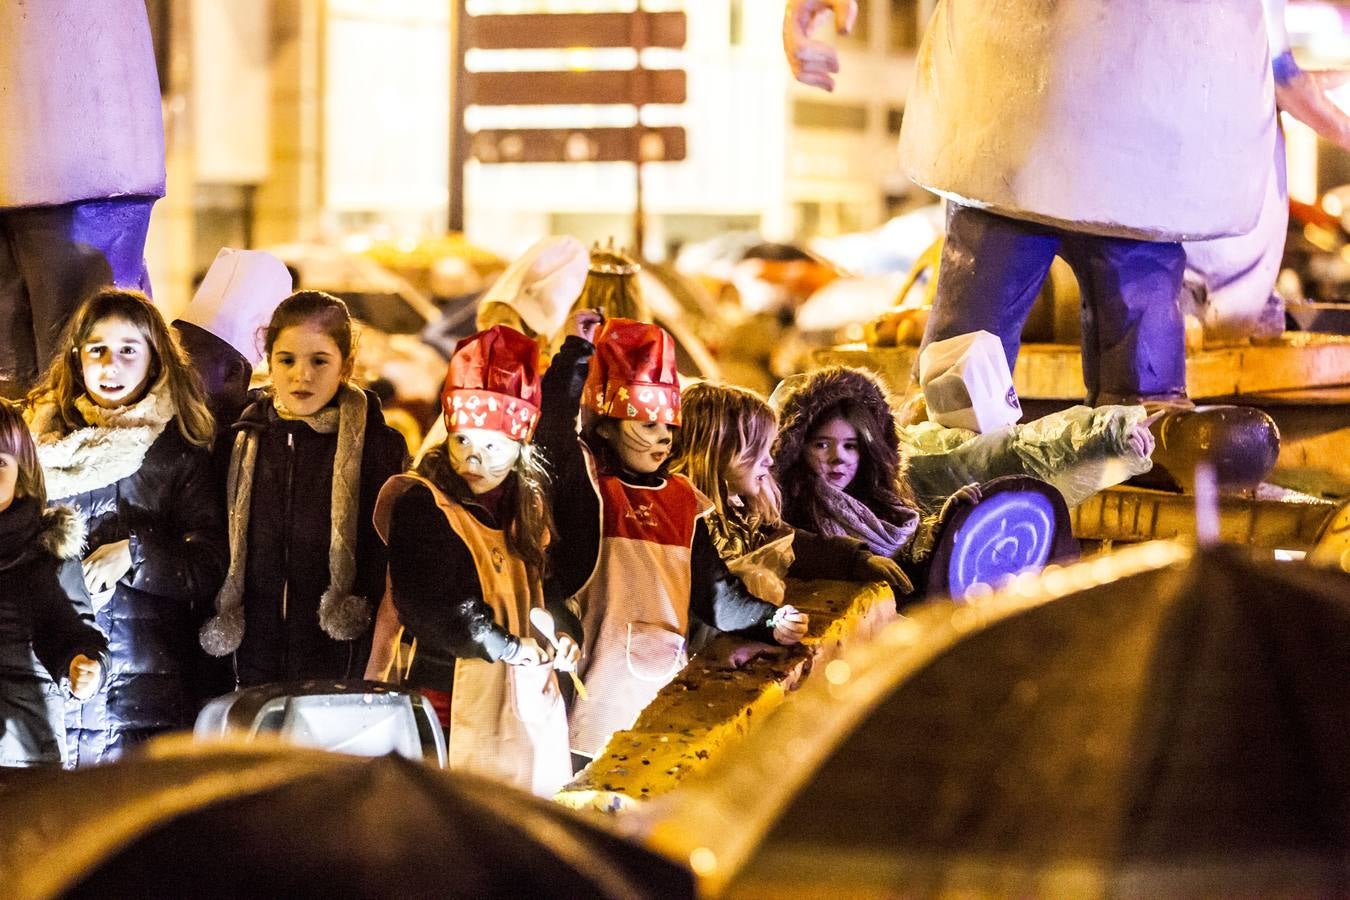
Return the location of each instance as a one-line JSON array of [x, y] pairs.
[[493, 384]]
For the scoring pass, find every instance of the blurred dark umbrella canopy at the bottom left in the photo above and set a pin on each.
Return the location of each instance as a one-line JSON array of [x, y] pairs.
[[211, 821]]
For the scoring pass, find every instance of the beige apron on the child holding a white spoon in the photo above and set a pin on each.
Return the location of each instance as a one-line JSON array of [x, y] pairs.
[[508, 723]]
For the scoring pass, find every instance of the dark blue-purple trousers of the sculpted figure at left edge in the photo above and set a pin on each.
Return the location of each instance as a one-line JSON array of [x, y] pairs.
[[52, 258]]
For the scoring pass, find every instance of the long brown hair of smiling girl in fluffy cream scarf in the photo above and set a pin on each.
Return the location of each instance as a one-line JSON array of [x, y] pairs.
[[64, 380]]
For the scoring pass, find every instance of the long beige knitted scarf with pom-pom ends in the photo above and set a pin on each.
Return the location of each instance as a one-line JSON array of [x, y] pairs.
[[342, 616]]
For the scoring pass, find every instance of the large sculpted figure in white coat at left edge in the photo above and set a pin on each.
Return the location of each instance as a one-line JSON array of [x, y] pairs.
[[82, 164]]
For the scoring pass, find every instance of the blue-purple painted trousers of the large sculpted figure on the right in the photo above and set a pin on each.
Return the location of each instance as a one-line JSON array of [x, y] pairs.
[[1133, 333]]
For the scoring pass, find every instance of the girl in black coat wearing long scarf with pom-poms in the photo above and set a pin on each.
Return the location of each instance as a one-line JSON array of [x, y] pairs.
[[308, 457]]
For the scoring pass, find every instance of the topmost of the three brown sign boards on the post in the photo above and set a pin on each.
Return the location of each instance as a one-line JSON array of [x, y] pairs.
[[565, 30]]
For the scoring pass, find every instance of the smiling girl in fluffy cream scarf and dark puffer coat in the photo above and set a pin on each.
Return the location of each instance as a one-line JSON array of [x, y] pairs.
[[125, 435]]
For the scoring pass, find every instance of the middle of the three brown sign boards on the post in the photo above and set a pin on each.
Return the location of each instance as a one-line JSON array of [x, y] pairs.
[[631, 87]]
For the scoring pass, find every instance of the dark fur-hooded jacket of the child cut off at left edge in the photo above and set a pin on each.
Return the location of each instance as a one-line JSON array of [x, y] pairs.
[[43, 629]]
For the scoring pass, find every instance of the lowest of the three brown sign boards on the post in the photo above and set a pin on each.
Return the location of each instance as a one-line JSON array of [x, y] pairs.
[[580, 145]]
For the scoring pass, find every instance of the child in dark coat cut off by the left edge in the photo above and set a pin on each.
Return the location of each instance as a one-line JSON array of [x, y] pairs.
[[45, 642]]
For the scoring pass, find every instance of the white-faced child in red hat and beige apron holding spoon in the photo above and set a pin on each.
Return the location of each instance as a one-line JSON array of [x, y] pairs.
[[469, 532]]
